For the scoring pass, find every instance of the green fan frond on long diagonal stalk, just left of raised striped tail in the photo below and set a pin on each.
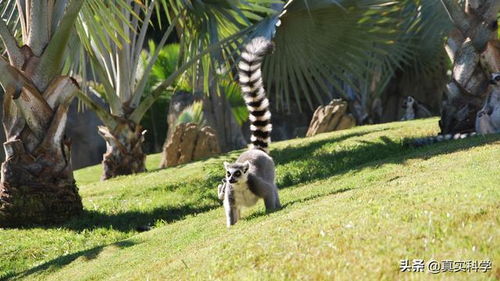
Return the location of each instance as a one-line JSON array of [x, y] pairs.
[[210, 34]]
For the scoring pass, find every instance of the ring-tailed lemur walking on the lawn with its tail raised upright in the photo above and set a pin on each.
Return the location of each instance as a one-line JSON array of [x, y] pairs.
[[252, 175]]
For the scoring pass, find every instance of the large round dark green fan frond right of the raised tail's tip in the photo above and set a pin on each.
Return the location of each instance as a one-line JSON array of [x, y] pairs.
[[322, 42]]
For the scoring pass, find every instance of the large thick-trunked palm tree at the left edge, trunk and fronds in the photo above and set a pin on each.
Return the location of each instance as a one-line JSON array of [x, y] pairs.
[[37, 184]]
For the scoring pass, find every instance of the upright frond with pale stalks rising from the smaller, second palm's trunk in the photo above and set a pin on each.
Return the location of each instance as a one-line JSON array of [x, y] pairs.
[[114, 51]]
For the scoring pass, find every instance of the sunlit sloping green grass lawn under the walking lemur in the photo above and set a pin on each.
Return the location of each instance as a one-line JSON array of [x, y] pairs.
[[356, 202]]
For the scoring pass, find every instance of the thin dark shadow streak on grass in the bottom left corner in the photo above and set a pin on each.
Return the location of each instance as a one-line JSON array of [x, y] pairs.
[[62, 261]]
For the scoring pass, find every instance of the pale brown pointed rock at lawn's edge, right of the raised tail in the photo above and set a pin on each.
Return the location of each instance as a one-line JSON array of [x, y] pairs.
[[331, 117]]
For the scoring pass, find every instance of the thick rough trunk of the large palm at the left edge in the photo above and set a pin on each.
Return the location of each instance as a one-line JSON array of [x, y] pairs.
[[37, 184]]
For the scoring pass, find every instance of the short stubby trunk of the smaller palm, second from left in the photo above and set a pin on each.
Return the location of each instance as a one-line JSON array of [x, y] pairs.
[[124, 154]]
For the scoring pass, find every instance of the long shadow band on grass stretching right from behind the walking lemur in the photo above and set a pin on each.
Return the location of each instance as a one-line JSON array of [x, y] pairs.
[[326, 158]]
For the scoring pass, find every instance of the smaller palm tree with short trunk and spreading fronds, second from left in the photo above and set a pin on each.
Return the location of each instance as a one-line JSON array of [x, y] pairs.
[[116, 65]]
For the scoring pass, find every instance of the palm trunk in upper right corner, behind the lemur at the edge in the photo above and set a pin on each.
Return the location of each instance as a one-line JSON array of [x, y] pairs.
[[470, 47]]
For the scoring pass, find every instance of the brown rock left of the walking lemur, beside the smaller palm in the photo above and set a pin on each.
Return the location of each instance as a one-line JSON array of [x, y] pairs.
[[190, 143]]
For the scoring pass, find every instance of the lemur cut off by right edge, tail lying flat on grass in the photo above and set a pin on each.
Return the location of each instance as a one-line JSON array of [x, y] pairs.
[[487, 119]]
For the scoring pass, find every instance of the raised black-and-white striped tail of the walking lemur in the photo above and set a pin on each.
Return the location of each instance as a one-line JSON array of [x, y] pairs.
[[250, 77]]
